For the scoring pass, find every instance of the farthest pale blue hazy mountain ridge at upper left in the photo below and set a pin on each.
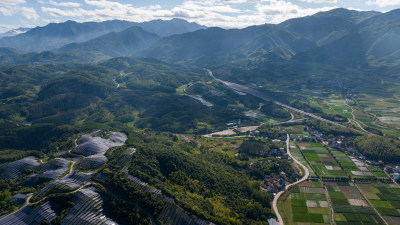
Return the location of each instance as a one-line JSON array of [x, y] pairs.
[[56, 35]]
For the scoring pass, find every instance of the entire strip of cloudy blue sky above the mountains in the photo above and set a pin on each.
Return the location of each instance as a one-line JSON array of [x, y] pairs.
[[221, 13]]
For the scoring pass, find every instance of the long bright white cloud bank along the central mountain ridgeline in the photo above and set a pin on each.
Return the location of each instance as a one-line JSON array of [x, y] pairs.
[[222, 13]]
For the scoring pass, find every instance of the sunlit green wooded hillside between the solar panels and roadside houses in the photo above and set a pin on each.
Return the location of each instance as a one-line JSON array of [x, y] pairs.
[[201, 183]]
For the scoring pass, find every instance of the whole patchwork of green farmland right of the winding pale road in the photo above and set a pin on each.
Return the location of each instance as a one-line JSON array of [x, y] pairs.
[[345, 189]]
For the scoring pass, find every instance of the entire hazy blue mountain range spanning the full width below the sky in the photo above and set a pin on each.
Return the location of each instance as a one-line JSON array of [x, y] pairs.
[[339, 36]]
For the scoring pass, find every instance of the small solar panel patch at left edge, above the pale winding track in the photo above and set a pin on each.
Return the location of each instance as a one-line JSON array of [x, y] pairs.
[[15, 169]]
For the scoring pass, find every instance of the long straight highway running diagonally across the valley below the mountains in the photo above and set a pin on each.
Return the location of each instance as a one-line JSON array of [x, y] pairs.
[[247, 90]]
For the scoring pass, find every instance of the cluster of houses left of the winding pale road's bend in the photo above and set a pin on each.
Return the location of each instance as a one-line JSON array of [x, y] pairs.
[[274, 184]]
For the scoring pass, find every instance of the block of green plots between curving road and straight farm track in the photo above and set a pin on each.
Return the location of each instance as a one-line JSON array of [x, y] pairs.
[[305, 204]]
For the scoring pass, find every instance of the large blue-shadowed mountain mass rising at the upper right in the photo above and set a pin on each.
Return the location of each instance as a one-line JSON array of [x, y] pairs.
[[371, 37]]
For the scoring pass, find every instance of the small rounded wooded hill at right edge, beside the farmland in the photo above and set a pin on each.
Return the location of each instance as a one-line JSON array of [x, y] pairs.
[[379, 148]]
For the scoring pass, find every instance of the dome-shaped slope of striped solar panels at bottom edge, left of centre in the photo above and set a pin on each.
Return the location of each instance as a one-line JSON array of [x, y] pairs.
[[87, 210]]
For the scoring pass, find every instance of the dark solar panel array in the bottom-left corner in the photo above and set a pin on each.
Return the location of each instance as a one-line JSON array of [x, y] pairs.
[[27, 216]]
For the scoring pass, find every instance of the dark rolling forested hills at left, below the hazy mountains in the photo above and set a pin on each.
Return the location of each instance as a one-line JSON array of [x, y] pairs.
[[41, 104]]
